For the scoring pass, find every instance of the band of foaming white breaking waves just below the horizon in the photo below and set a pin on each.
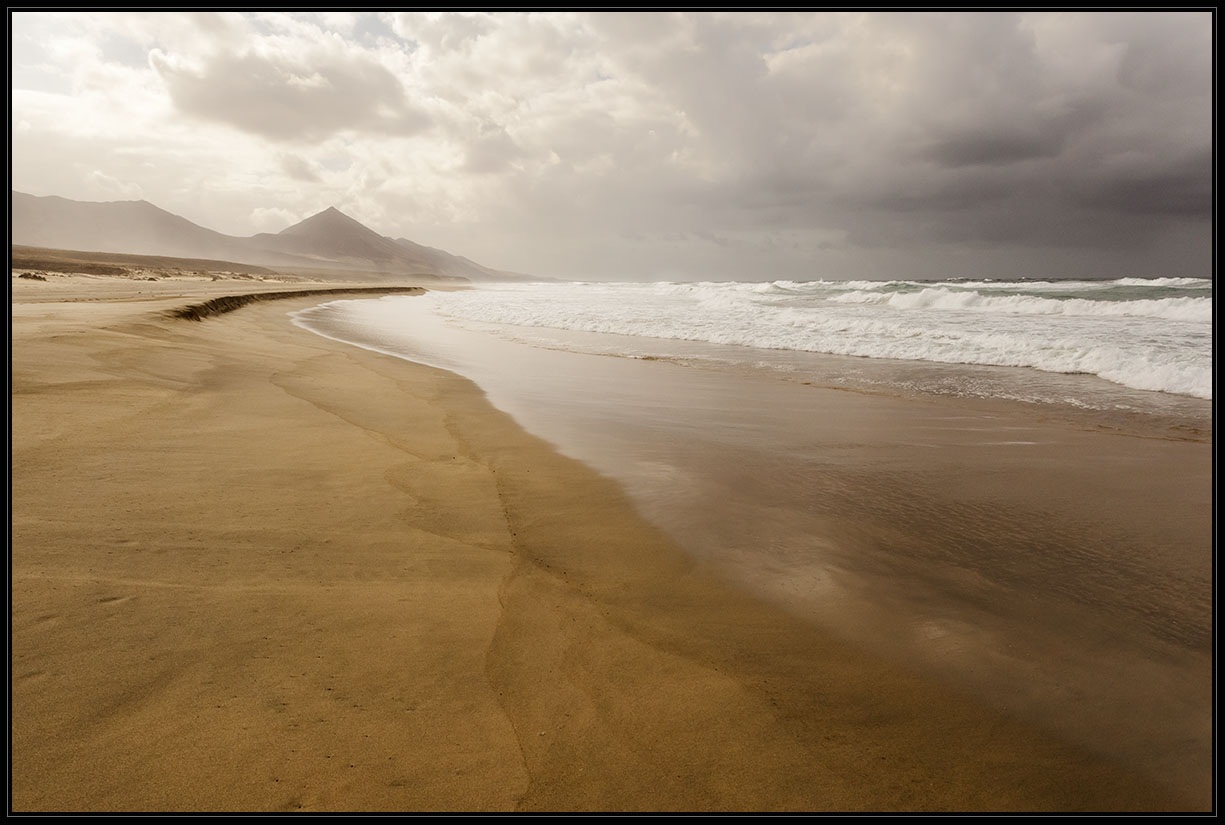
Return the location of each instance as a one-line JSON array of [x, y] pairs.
[[1130, 332]]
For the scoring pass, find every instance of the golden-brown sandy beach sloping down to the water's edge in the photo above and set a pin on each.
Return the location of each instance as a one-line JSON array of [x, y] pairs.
[[254, 569]]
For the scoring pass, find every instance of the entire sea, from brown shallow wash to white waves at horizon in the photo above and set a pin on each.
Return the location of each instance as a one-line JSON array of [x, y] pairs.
[[1001, 485]]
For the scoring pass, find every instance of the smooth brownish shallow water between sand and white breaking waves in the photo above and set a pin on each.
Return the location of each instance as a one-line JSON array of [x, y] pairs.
[[1046, 556]]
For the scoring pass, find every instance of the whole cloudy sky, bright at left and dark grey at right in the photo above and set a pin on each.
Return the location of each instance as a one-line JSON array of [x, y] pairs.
[[650, 145]]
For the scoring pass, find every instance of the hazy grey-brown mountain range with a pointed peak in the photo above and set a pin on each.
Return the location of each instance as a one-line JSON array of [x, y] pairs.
[[329, 241]]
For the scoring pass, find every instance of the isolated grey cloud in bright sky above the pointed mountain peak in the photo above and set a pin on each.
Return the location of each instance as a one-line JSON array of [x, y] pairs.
[[291, 99]]
